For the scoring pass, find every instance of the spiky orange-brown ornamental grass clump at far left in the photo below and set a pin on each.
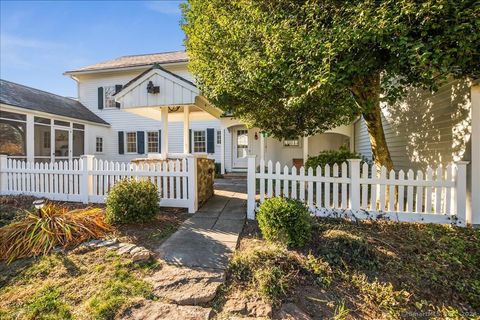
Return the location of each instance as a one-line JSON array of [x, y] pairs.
[[39, 232]]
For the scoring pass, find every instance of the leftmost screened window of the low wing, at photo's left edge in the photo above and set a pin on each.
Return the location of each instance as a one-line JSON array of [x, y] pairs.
[[12, 133]]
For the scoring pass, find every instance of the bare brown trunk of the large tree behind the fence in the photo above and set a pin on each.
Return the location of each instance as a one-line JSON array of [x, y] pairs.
[[367, 94]]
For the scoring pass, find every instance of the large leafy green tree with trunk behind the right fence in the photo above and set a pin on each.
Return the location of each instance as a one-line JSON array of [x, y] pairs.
[[303, 67]]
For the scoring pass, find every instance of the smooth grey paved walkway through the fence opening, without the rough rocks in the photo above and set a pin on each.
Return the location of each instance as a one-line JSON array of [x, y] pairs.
[[208, 239]]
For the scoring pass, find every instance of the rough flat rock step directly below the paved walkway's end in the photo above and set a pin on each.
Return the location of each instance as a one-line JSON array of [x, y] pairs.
[[186, 286]]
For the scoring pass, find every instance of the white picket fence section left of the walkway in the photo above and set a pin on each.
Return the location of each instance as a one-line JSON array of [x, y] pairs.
[[90, 179]]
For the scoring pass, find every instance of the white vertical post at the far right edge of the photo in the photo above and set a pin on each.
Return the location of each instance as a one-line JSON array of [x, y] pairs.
[[473, 211]]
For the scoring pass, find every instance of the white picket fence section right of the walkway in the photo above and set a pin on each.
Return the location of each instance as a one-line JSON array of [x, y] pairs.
[[357, 191]]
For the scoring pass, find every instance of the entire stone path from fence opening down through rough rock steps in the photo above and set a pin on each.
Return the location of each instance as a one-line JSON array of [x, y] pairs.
[[197, 255]]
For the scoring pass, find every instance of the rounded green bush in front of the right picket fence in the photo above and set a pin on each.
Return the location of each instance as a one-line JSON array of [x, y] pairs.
[[285, 220]]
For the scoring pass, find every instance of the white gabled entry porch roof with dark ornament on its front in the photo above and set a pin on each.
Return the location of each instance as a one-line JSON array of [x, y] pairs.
[[174, 90]]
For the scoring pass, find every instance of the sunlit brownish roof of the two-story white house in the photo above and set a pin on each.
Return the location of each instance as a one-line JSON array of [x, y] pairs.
[[136, 61]]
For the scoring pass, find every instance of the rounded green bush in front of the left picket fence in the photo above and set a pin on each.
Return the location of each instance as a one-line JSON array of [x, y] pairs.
[[132, 201]]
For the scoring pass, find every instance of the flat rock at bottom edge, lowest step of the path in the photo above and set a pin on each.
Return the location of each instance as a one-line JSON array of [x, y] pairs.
[[154, 310]]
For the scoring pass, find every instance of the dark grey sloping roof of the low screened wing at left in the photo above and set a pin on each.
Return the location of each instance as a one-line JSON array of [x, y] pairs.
[[21, 96]]
